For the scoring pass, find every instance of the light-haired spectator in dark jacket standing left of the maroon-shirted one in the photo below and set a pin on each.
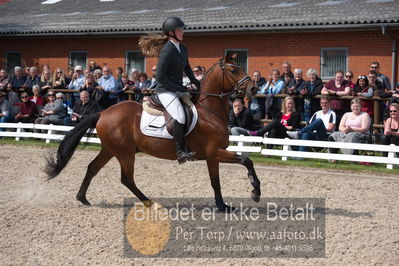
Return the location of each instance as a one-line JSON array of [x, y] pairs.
[[312, 87]]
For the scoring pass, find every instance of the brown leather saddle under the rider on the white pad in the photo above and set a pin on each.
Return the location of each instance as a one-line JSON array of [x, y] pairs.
[[154, 106]]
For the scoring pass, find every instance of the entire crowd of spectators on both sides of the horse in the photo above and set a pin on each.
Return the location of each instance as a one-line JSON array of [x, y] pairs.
[[29, 96]]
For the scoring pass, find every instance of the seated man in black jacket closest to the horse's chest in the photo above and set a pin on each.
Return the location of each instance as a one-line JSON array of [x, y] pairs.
[[240, 119]]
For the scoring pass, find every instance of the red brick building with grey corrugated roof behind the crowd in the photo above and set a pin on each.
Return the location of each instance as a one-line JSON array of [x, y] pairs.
[[324, 34]]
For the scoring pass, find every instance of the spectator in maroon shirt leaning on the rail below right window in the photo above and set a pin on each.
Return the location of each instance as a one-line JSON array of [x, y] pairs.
[[337, 87]]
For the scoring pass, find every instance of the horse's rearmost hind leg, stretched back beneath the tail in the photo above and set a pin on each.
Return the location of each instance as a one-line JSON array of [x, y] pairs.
[[101, 159]]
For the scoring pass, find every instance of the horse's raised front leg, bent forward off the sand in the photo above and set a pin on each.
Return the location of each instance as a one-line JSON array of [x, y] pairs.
[[225, 156]]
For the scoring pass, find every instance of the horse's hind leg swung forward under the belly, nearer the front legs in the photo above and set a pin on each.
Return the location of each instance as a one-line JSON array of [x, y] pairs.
[[127, 178]]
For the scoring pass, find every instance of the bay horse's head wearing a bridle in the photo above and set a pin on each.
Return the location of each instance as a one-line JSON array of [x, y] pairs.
[[236, 80]]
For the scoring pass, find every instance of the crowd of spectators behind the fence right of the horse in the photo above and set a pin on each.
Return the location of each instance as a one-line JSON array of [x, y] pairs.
[[302, 115]]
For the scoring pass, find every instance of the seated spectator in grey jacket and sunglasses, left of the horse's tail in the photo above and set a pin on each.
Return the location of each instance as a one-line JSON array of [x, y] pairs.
[[53, 112]]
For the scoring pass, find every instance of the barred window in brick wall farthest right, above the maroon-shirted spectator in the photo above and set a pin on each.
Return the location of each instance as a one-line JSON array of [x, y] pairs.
[[332, 60]]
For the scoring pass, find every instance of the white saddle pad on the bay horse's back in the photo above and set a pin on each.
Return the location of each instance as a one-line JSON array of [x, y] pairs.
[[154, 125]]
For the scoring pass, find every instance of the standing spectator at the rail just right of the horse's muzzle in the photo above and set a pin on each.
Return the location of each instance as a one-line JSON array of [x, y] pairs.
[[257, 105]]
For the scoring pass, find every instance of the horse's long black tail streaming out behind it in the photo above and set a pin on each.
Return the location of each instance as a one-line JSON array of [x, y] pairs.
[[68, 145]]
